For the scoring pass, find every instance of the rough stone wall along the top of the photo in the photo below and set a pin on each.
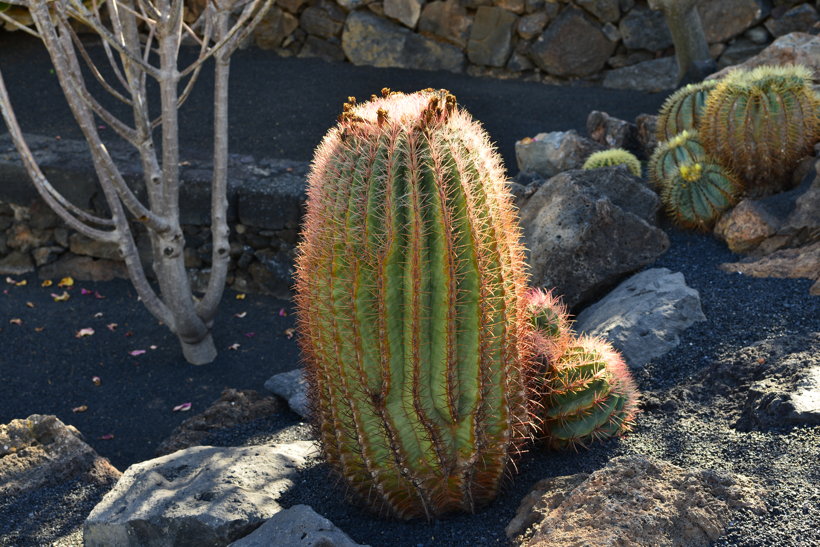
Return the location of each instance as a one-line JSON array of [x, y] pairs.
[[619, 43]]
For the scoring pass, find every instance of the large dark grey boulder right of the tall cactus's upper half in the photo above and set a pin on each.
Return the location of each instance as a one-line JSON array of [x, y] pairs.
[[585, 230]]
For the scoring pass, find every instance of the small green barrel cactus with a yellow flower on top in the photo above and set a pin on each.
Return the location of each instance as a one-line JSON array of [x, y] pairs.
[[697, 193]]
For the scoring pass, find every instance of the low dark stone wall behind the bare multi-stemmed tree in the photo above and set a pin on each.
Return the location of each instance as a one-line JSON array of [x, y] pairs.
[[266, 200]]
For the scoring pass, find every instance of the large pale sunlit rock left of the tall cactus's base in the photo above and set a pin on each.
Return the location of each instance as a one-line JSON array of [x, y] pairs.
[[216, 495]]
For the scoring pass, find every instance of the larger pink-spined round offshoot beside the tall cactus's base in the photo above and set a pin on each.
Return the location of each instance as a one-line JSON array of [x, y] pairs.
[[588, 396]]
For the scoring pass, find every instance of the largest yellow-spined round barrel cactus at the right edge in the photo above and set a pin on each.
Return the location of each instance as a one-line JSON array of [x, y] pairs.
[[760, 123]]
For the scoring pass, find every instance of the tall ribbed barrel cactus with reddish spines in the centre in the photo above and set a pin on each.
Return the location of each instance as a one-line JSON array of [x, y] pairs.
[[409, 288]]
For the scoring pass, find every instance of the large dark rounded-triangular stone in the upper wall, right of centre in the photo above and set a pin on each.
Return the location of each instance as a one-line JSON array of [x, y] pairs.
[[572, 45]]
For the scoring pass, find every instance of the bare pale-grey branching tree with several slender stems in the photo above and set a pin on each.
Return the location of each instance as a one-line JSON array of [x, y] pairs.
[[134, 33]]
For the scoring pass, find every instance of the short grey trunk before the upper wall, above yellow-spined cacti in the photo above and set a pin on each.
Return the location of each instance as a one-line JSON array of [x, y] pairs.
[[691, 48]]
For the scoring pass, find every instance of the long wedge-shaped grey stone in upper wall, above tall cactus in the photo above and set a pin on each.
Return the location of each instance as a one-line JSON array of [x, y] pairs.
[[370, 40]]
